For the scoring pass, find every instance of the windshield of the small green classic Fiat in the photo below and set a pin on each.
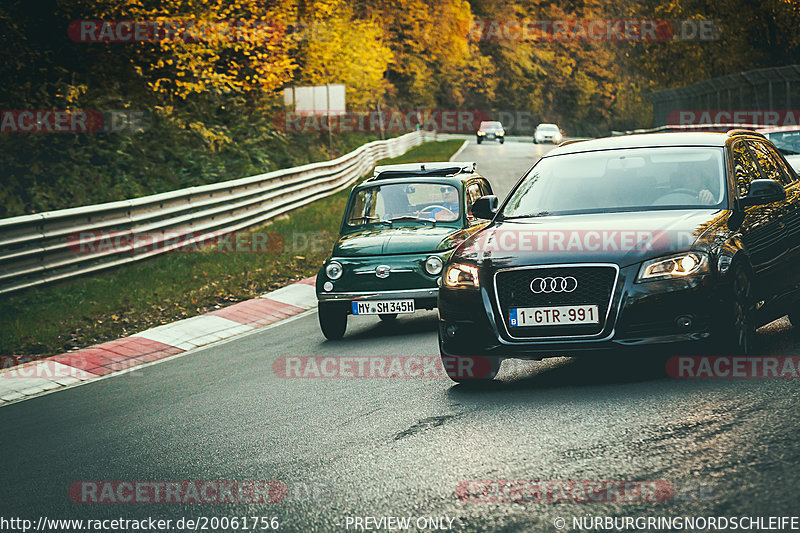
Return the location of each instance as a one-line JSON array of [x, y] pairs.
[[404, 202]]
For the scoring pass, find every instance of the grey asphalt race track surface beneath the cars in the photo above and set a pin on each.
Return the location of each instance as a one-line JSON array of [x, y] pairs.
[[400, 447]]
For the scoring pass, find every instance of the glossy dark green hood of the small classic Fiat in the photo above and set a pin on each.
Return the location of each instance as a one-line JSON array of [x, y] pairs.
[[398, 240]]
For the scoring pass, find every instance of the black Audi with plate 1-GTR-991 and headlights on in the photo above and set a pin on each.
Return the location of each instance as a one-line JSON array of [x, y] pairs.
[[628, 242]]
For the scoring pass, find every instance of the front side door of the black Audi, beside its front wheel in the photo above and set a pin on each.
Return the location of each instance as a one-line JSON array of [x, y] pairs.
[[762, 234]]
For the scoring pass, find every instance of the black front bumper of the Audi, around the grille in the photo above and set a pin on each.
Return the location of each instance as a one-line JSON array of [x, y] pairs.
[[640, 315]]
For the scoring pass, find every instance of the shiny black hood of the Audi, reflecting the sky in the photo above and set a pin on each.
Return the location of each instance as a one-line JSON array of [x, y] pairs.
[[621, 238]]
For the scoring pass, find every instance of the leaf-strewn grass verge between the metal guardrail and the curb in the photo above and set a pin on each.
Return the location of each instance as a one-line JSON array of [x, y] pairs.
[[85, 311]]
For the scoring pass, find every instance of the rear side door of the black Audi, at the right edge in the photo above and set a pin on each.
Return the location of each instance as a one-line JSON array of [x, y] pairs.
[[774, 167]]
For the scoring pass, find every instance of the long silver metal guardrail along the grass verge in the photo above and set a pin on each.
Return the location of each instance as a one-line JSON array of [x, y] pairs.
[[41, 248]]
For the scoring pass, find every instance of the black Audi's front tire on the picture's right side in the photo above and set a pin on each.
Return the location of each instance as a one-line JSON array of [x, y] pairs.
[[739, 330]]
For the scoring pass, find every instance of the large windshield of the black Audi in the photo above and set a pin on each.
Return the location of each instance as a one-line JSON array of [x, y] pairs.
[[621, 180]]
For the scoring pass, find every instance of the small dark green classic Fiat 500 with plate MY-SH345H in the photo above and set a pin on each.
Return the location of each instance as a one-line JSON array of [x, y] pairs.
[[399, 228]]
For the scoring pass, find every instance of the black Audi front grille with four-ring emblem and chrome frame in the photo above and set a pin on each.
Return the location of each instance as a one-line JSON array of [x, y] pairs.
[[555, 286]]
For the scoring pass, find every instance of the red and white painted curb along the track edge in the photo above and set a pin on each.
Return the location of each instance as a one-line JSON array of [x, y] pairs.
[[114, 357]]
